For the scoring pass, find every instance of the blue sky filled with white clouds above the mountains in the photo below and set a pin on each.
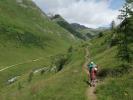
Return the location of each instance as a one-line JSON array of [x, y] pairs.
[[91, 13]]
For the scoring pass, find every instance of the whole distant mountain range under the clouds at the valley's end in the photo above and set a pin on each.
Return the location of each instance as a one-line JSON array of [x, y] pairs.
[[77, 30]]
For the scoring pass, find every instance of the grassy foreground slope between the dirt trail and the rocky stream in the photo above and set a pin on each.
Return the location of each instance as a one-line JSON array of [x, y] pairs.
[[68, 84]]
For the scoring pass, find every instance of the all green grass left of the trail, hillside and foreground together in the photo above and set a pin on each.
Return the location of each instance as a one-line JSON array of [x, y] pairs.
[[30, 35]]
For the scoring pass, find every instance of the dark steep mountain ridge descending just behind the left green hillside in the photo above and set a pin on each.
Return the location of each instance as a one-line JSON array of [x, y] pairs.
[[63, 23]]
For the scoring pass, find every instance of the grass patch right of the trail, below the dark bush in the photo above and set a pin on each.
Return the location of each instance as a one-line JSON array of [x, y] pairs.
[[120, 88]]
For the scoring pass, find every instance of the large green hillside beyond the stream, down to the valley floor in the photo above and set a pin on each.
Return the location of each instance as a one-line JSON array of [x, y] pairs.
[[28, 39]]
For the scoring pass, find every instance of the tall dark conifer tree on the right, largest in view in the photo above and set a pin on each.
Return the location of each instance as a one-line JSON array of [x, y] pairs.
[[123, 31]]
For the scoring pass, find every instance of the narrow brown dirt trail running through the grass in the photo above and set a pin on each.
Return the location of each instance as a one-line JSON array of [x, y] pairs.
[[90, 92]]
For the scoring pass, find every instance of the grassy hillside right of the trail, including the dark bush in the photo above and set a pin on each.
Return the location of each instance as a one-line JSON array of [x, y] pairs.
[[117, 81]]
